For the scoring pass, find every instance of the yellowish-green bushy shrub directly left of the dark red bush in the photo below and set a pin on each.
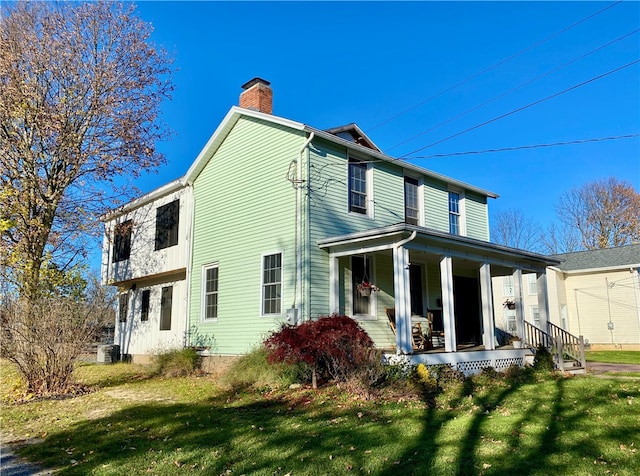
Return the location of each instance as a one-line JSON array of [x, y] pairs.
[[252, 371]]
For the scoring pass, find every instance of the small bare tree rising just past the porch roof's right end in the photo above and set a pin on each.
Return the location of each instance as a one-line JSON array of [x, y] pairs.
[[512, 228]]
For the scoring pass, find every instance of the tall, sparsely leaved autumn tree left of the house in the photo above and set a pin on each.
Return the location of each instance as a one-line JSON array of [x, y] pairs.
[[80, 91]]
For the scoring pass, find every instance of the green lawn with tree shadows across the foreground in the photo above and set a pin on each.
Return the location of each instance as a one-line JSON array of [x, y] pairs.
[[137, 424]]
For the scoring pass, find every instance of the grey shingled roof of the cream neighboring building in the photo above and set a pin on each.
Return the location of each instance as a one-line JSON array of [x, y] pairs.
[[607, 258]]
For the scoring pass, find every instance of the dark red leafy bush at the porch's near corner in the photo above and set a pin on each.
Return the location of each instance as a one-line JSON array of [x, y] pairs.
[[333, 346]]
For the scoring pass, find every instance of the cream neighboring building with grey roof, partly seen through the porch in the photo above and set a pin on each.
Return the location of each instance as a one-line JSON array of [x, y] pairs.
[[595, 294]]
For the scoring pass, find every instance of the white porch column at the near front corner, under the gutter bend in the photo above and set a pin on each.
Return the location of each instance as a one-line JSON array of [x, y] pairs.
[[403, 299]]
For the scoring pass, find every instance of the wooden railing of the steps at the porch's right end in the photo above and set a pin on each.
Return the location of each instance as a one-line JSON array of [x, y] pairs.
[[567, 349]]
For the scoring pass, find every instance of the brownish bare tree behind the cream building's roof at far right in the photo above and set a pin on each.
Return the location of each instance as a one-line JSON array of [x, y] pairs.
[[605, 213]]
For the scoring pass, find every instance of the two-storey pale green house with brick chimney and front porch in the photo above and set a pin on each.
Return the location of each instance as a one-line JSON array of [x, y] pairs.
[[279, 222]]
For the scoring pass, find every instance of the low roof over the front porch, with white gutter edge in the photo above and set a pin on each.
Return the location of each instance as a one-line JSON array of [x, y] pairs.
[[434, 242]]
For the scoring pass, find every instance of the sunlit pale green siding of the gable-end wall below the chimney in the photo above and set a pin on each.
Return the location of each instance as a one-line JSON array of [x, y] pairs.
[[244, 208]]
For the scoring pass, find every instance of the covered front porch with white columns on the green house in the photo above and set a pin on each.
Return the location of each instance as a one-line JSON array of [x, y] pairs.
[[430, 292]]
